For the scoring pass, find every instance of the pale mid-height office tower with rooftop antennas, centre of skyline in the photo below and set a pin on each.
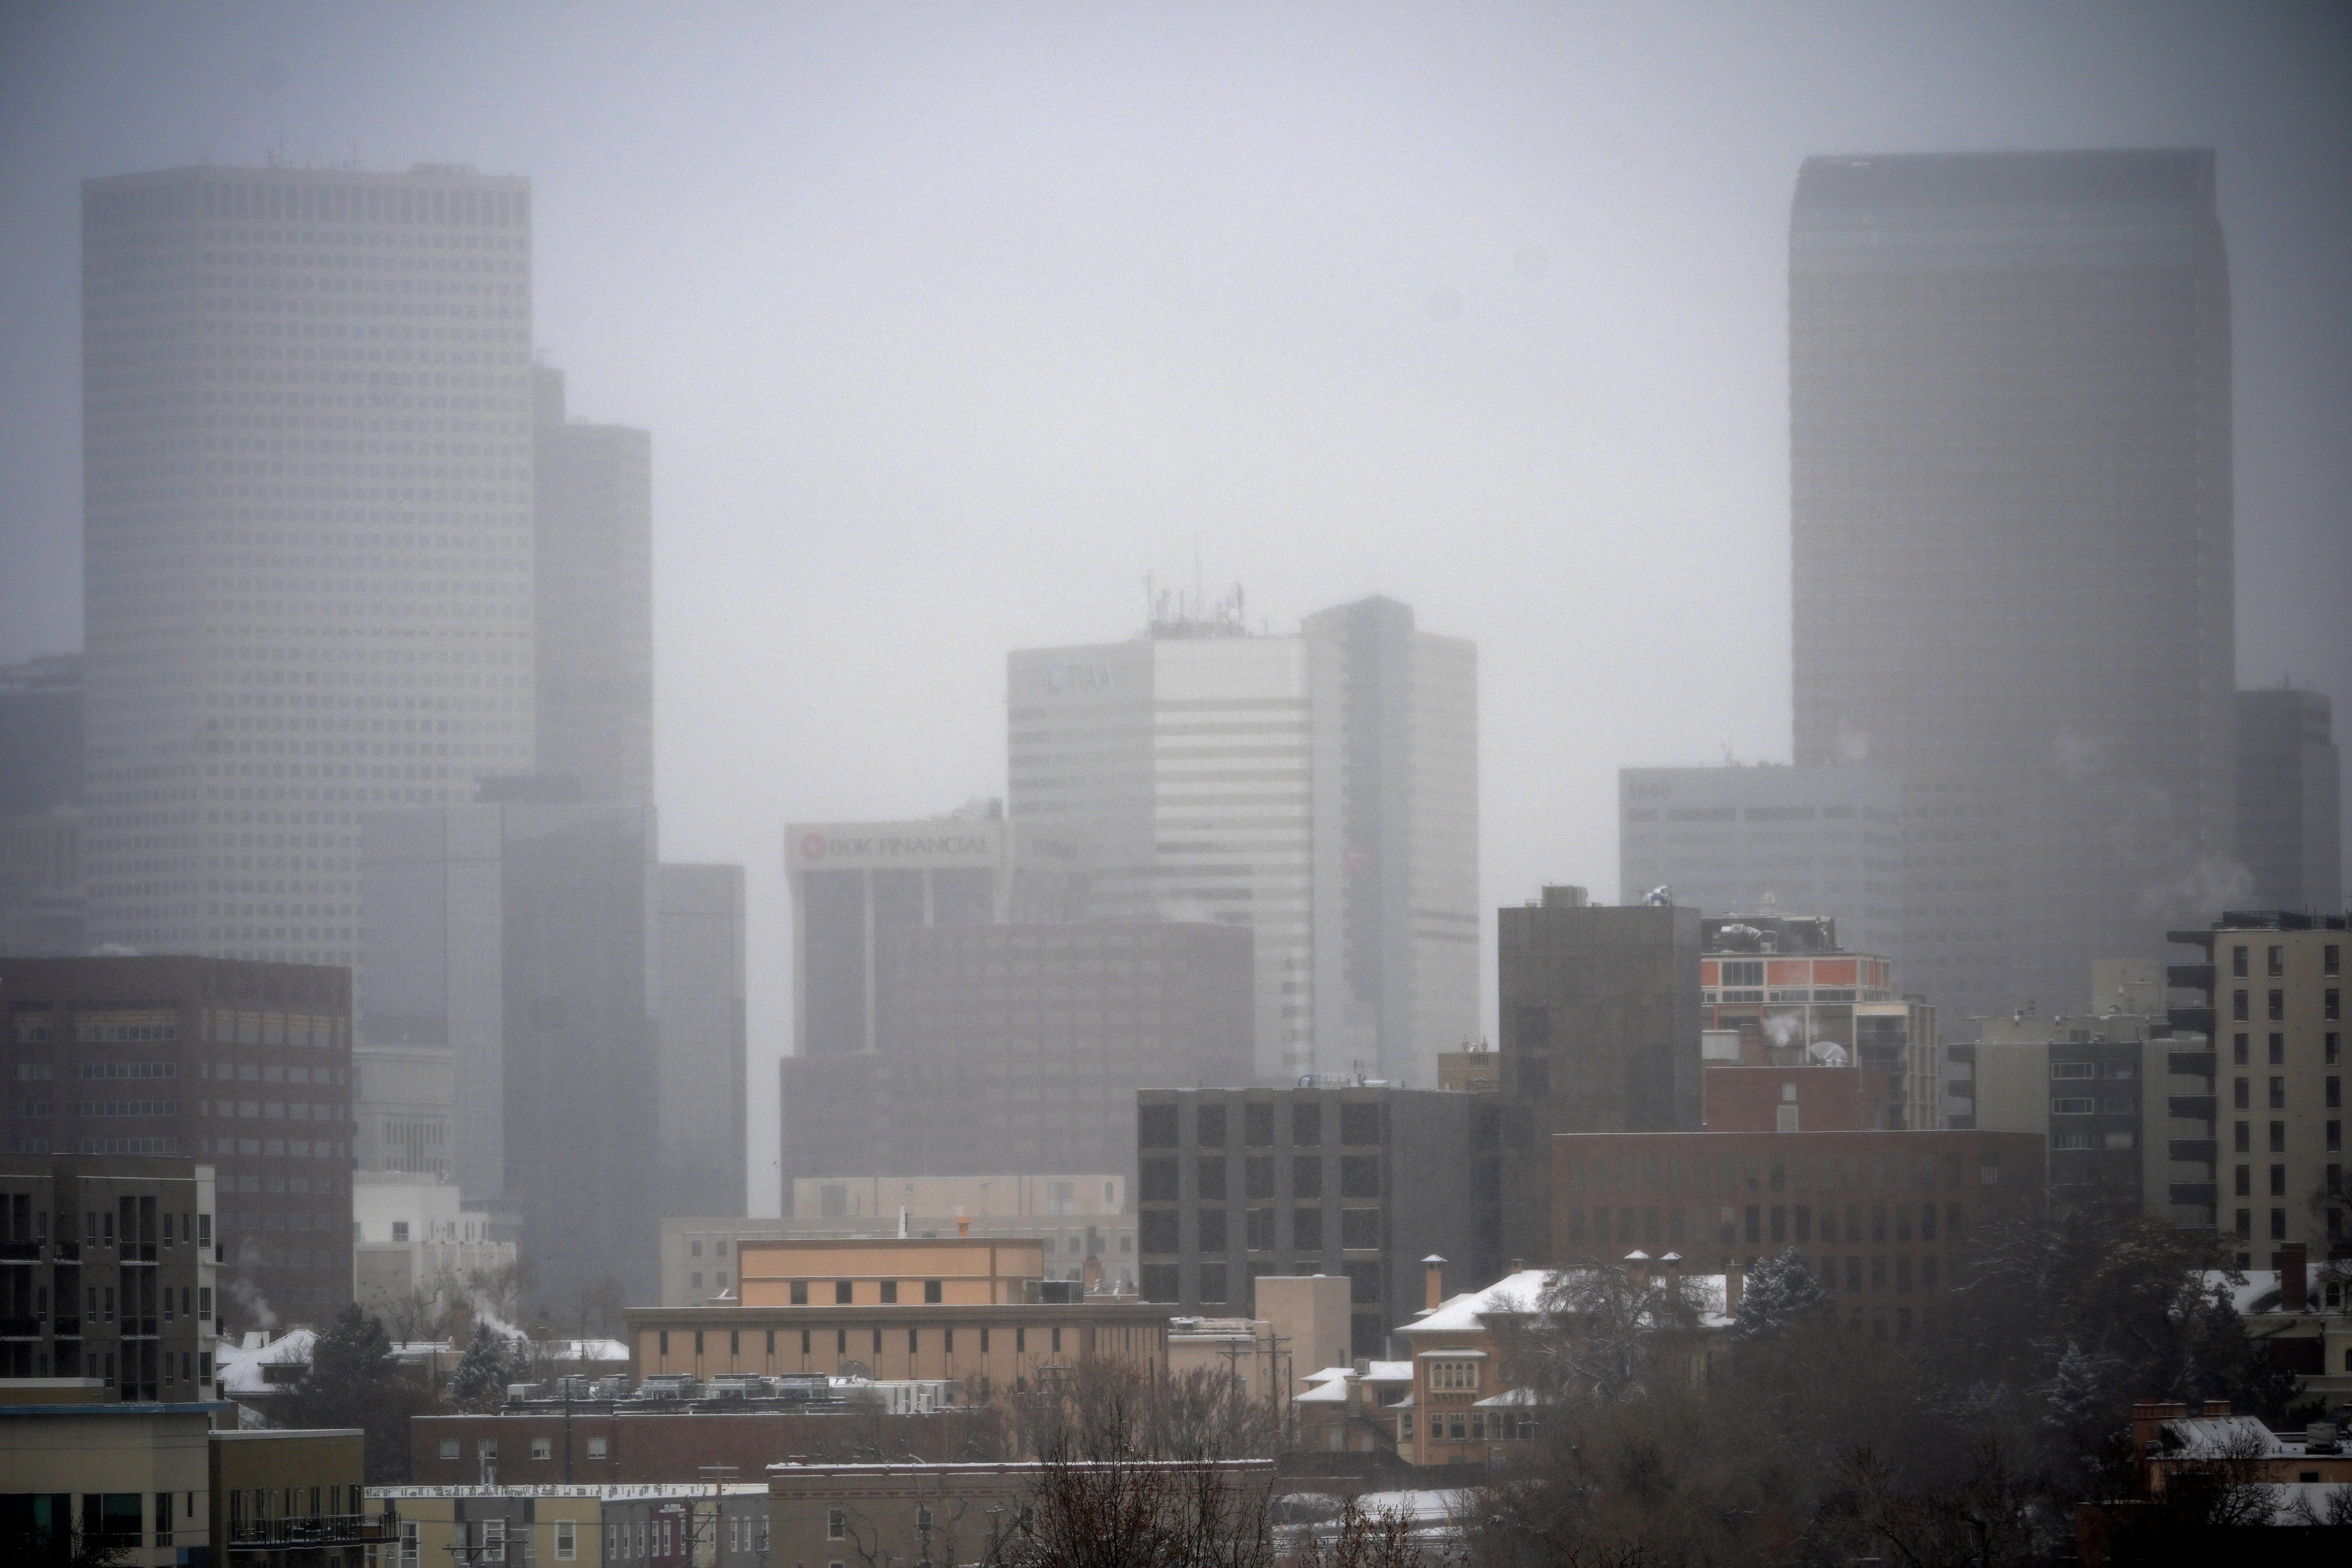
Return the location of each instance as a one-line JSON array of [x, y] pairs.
[[1316, 789]]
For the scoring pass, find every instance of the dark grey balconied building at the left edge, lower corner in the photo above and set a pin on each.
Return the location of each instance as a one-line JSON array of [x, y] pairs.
[[107, 1273]]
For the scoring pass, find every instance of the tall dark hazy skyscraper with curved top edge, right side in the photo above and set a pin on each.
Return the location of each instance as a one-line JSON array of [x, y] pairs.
[[2010, 469]]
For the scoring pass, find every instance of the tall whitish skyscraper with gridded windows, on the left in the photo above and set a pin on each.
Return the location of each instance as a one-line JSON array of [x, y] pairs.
[[307, 530]]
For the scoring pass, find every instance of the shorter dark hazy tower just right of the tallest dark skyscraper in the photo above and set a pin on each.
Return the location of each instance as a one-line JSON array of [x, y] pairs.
[[2290, 800]]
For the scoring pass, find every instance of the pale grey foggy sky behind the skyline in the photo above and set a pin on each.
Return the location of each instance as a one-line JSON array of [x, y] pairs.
[[951, 323]]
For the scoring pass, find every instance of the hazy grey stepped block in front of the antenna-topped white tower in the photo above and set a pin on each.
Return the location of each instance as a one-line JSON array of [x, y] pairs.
[[1022, 1045]]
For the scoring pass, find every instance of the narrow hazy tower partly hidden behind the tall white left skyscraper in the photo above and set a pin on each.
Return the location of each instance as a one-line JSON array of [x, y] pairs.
[[594, 523]]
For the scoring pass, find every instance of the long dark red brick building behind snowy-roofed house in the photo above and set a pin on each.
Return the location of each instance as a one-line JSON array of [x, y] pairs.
[[1878, 1212]]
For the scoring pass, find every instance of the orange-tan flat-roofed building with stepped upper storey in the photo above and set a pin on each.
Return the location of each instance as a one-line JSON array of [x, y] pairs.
[[975, 1311]]
